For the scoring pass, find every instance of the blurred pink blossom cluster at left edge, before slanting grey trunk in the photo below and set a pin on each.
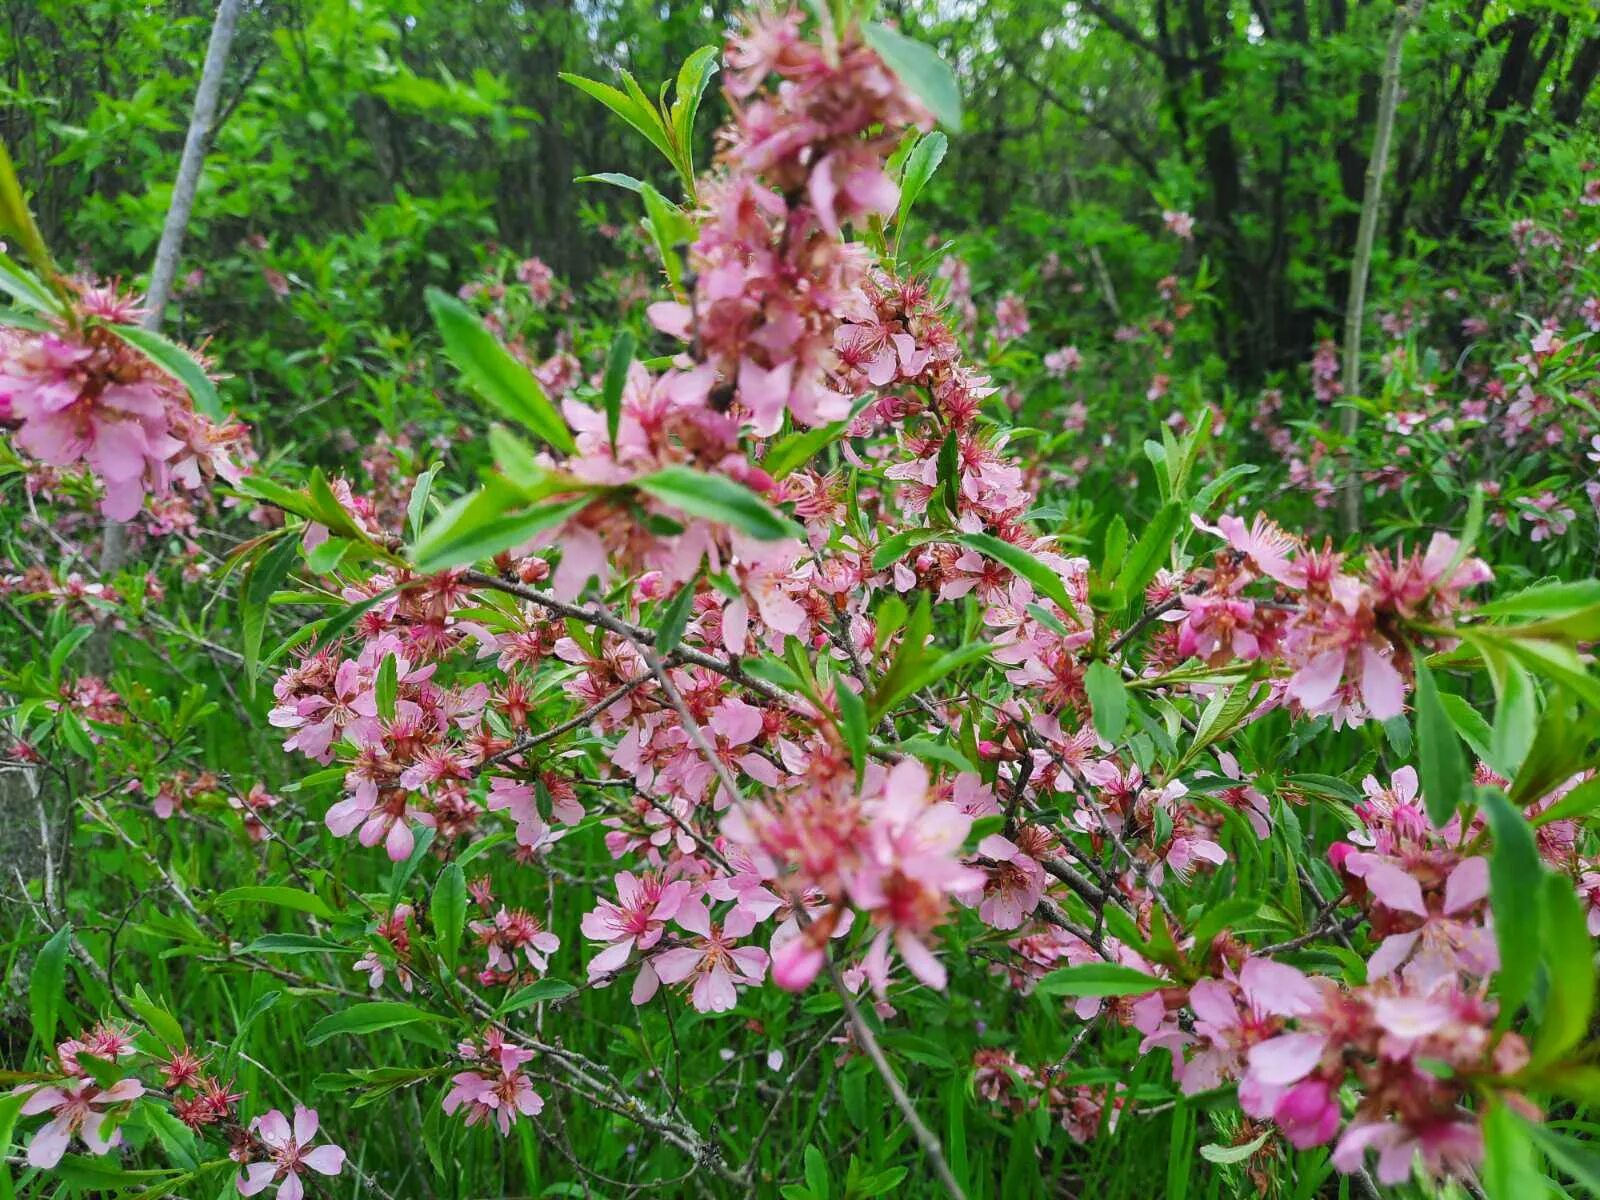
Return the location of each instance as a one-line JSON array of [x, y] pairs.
[[79, 394]]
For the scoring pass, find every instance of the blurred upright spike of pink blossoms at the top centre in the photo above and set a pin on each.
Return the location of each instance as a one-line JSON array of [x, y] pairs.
[[772, 279]]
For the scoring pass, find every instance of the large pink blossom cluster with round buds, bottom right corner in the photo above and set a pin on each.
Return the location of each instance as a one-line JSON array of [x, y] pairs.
[[1295, 1041]]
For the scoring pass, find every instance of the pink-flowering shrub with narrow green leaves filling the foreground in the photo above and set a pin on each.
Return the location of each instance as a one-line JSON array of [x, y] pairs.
[[774, 711]]
